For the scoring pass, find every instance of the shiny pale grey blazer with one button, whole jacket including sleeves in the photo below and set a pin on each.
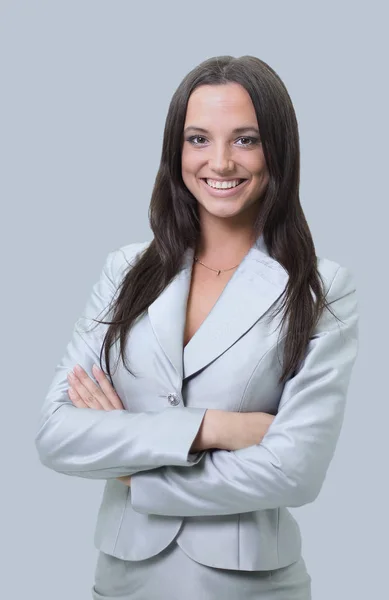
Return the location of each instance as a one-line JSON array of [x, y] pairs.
[[229, 508]]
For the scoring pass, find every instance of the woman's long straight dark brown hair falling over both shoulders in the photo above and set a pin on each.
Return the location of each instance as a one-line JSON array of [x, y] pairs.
[[173, 211]]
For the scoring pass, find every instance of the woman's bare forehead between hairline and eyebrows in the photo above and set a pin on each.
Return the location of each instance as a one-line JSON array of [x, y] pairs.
[[213, 103]]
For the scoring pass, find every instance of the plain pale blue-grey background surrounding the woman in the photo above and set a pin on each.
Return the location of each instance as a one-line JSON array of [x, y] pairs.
[[85, 87]]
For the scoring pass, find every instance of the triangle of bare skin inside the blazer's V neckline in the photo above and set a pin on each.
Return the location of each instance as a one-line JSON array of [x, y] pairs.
[[205, 289]]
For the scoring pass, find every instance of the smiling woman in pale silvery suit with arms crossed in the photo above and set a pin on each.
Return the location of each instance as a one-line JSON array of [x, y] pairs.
[[212, 423]]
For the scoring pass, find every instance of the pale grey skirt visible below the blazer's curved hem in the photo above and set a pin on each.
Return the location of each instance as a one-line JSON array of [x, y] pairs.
[[172, 575]]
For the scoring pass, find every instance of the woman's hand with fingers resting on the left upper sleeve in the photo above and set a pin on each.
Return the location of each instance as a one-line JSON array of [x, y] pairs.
[[84, 393]]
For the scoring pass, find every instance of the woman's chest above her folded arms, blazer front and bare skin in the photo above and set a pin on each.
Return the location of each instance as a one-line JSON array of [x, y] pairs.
[[231, 361]]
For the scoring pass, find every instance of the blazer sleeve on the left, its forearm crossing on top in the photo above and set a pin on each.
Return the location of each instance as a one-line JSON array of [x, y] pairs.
[[99, 444]]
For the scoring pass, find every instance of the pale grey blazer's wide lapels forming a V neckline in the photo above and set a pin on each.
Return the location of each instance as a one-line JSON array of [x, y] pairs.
[[255, 285]]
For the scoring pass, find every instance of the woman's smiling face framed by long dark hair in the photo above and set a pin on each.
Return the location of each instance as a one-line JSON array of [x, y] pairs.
[[221, 142]]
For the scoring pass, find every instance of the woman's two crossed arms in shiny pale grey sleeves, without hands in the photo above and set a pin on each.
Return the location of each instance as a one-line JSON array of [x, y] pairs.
[[287, 468]]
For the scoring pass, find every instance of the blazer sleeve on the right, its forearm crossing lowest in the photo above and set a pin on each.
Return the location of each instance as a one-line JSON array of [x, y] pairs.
[[288, 467]]
